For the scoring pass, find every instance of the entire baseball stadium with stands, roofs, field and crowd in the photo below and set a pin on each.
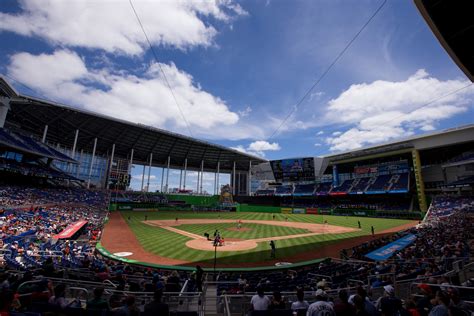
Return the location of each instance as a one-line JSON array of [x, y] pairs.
[[393, 221]]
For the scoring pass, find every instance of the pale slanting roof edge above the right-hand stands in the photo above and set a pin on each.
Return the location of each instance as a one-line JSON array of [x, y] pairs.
[[452, 136]]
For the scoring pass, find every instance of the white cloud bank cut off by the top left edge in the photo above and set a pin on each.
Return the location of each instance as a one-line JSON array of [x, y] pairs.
[[112, 26]]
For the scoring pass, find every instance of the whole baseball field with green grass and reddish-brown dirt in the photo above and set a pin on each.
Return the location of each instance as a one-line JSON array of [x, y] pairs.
[[178, 238]]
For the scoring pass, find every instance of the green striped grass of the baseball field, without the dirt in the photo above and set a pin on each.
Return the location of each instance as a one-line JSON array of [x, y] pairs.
[[169, 244]]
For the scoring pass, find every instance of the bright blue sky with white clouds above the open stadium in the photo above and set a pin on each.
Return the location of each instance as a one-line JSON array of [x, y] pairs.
[[238, 69]]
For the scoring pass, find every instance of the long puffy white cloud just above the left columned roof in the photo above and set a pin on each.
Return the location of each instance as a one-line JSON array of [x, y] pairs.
[[142, 99]]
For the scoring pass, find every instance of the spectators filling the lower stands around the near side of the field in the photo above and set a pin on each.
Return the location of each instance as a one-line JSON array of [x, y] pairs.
[[37, 270]]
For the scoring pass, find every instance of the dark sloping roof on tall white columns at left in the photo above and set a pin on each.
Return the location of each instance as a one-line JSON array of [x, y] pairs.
[[30, 115]]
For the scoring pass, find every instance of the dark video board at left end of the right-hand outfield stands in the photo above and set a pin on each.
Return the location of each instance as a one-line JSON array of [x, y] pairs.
[[293, 170]]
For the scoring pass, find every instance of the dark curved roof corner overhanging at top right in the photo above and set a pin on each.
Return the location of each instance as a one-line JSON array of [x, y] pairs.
[[453, 25]]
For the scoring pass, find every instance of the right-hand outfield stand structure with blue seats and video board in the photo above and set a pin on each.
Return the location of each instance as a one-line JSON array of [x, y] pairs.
[[401, 173]]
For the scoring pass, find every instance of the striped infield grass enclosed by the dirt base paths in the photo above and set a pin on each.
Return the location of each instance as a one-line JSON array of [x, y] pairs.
[[257, 230]]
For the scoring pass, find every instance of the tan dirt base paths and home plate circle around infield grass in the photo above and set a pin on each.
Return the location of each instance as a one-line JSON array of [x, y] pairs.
[[201, 243]]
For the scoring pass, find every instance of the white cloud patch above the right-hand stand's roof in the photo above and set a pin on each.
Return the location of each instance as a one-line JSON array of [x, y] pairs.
[[385, 110]]
